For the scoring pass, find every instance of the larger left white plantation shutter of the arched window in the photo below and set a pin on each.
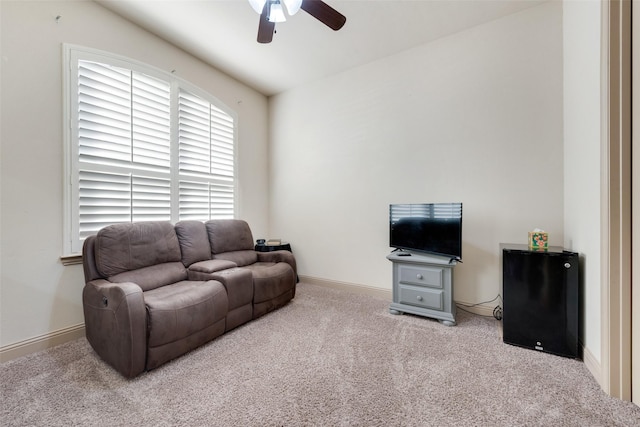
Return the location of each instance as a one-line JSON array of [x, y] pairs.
[[124, 147]]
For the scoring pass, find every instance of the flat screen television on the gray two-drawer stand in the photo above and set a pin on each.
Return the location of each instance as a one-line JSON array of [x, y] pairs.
[[434, 228]]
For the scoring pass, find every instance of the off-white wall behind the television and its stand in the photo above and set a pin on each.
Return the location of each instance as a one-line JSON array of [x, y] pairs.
[[475, 117]]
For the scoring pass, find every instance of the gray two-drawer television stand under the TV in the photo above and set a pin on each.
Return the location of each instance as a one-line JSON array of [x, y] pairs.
[[423, 285]]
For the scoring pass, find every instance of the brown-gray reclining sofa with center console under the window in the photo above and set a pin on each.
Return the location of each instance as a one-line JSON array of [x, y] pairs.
[[155, 291]]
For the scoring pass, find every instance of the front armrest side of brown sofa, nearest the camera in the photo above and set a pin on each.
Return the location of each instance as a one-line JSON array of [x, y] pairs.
[[115, 323]]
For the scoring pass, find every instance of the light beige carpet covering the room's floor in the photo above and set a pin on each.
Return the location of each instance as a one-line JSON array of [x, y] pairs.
[[328, 358]]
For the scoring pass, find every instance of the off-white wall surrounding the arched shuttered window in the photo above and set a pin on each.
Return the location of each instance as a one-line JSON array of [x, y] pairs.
[[38, 295]]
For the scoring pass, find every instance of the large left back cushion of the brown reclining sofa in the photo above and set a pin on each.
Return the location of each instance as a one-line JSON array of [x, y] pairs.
[[130, 246]]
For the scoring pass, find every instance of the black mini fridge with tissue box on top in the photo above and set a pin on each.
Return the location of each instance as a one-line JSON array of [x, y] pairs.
[[540, 299]]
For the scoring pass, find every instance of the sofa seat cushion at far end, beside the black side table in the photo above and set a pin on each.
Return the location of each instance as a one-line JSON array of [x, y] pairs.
[[271, 280]]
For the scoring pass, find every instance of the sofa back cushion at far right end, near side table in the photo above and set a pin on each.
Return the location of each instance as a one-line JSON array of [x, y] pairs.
[[228, 235]]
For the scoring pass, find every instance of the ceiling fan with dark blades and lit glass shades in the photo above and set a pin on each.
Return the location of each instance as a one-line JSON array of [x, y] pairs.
[[271, 11]]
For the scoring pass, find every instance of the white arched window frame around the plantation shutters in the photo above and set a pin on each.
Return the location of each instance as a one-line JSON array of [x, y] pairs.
[[72, 54]]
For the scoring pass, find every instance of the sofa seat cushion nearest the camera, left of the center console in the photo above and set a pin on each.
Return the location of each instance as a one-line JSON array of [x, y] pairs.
[[181, 309]]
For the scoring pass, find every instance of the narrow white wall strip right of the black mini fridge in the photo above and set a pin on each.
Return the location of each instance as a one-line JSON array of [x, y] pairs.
[[581, 28]]
